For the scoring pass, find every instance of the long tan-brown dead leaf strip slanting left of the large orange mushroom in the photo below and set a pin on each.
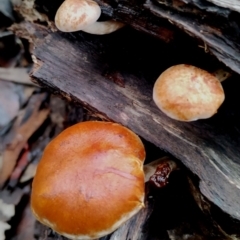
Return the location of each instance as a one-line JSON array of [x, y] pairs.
[[33, 120]]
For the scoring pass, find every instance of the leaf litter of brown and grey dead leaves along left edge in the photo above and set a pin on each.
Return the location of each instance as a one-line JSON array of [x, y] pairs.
[[29, 118]]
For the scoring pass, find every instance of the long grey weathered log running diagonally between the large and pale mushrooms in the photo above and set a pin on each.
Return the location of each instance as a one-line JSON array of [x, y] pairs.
[[112, 75]]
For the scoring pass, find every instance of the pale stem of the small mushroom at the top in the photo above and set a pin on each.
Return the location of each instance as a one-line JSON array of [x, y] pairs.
[[106, 27]]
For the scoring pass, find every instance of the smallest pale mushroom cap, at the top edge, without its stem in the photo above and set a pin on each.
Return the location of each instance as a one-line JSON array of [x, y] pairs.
[[74, 15]]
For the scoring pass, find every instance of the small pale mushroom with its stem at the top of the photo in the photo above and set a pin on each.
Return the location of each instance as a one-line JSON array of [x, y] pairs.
[[75, 15]]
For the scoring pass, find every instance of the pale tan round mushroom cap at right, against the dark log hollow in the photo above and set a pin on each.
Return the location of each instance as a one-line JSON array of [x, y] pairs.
[[187, 93]]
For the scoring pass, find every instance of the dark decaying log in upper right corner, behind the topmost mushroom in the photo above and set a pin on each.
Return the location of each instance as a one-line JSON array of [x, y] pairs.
[[214, 23]]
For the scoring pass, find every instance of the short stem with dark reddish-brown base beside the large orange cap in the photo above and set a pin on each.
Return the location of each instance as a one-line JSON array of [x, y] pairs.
[[158, 171]]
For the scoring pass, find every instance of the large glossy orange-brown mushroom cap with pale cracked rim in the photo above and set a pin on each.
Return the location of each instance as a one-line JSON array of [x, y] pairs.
[[90, 180]]
